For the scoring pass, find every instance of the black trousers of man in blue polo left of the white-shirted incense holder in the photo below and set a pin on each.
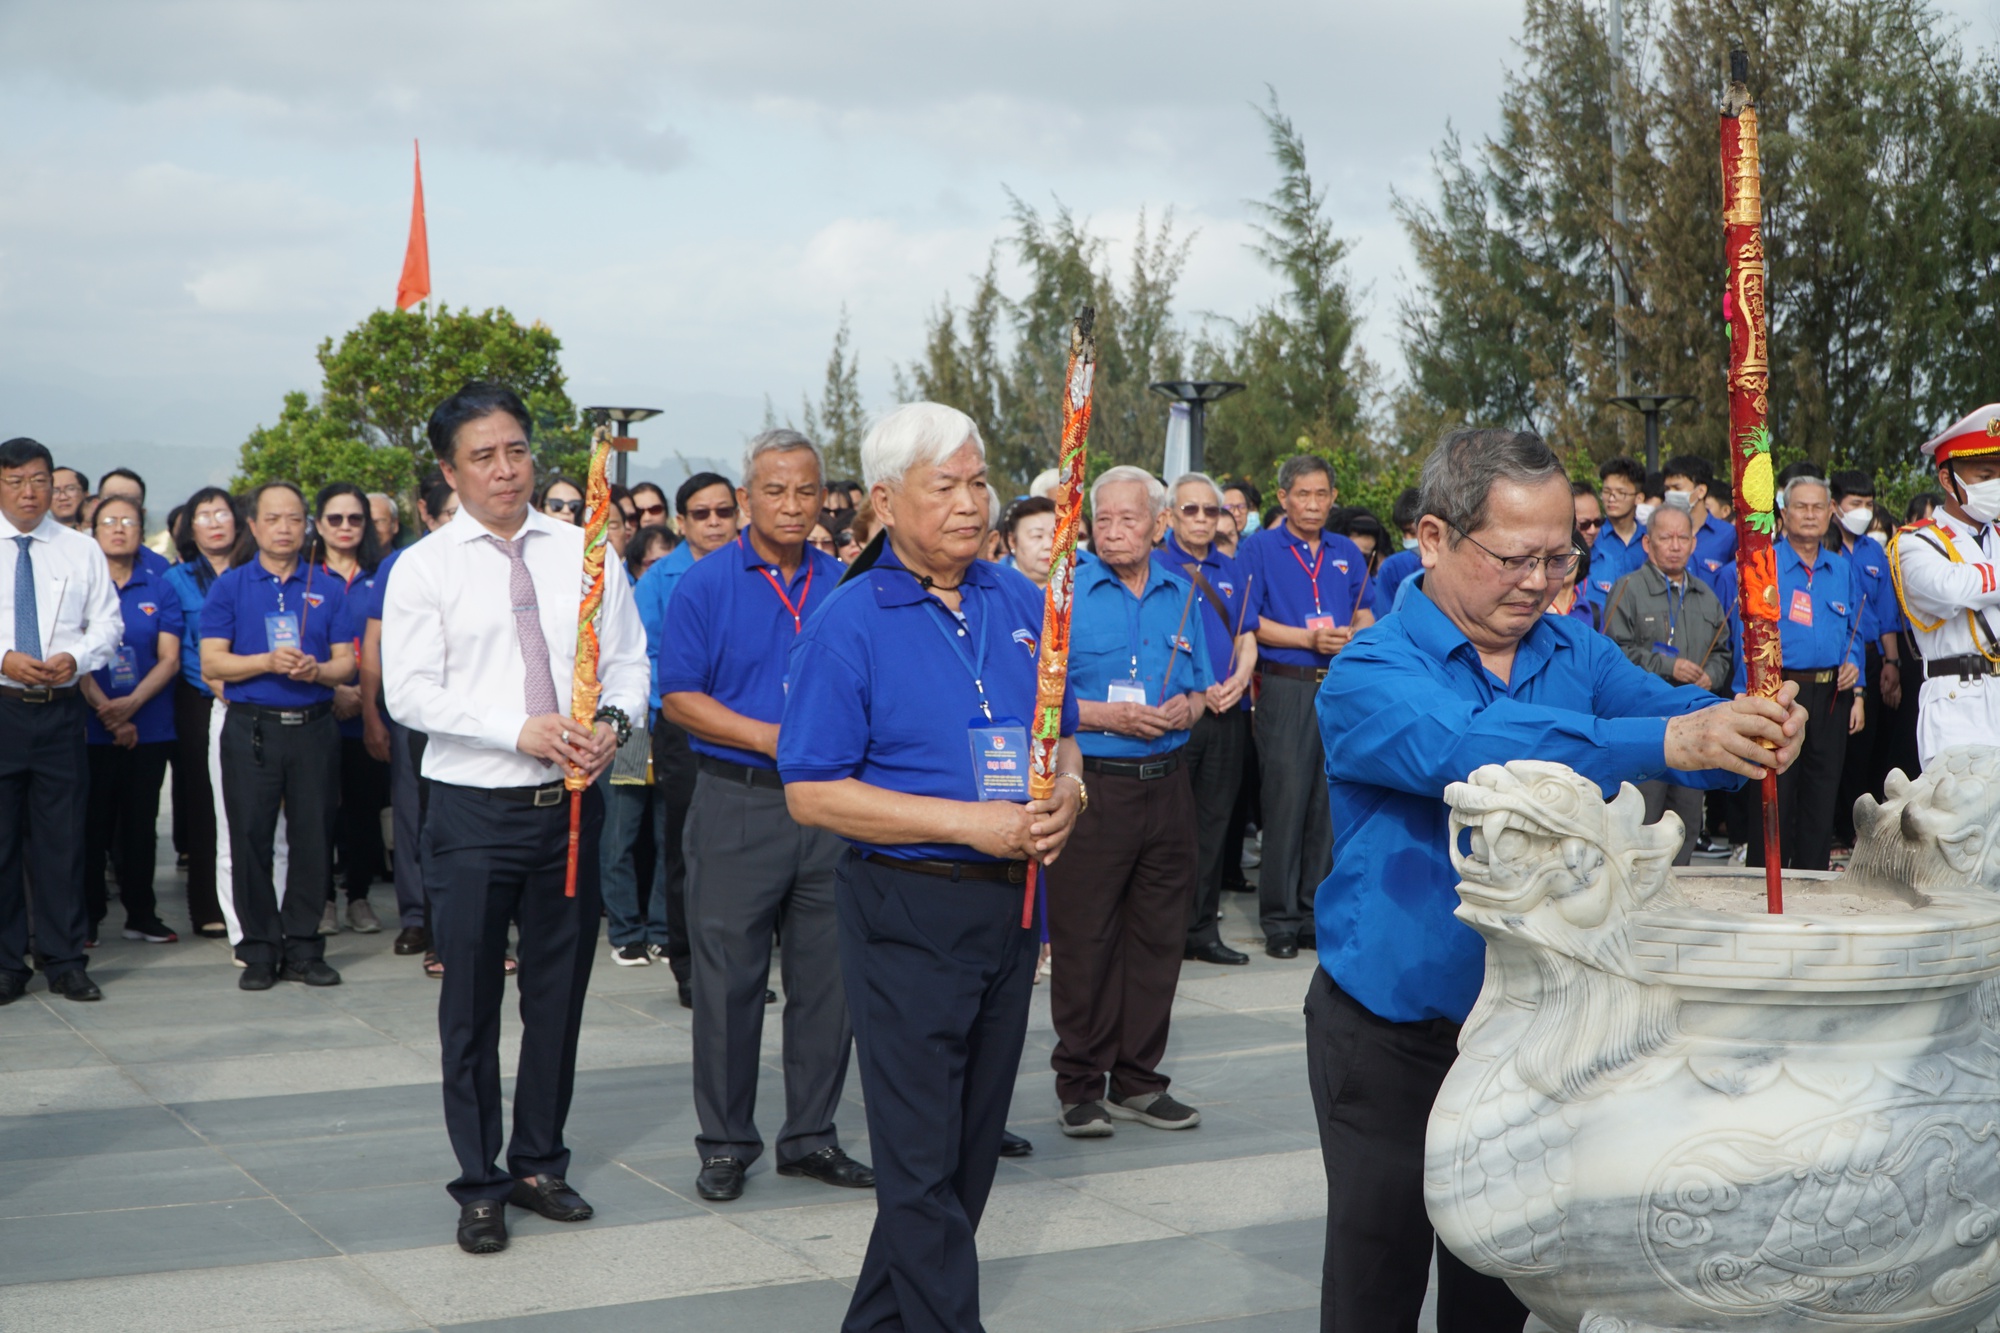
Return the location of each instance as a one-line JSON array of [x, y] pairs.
[[269, 768]]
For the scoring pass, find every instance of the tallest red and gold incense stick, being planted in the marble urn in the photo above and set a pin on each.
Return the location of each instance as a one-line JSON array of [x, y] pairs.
[[1757, 521]]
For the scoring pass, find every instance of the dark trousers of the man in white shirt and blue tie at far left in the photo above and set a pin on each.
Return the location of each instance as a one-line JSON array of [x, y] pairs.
[[43, 774]]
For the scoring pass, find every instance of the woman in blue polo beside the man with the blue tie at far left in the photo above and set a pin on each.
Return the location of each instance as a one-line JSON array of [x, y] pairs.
[[131, 732]]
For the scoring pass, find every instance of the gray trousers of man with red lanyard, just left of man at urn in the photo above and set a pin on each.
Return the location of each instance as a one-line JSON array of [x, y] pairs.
[[1299, 828]]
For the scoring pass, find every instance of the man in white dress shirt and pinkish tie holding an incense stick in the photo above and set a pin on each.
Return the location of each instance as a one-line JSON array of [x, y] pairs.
[[479, 643]]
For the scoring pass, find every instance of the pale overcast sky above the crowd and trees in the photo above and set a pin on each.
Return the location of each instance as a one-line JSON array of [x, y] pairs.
[[199, 191]]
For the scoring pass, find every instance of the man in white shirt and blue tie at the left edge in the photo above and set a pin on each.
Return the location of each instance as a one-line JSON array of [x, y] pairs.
[[59, 621]]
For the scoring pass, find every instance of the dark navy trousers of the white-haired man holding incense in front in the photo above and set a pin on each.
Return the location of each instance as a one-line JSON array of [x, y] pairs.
[[939, 980]]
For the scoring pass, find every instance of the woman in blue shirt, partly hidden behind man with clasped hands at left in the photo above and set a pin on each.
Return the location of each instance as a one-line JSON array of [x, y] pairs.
[[205, 535]]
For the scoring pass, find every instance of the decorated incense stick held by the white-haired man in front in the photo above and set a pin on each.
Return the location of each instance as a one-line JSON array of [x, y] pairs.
[[1053, 670]]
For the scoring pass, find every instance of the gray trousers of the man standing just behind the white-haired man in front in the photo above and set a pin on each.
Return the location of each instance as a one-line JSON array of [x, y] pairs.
[[753, 872]]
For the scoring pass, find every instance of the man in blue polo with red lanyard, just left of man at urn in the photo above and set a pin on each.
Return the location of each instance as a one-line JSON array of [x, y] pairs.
[[1311, 595]]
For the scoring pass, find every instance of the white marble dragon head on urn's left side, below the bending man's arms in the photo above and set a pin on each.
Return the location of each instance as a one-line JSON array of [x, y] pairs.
[[1547, 862]]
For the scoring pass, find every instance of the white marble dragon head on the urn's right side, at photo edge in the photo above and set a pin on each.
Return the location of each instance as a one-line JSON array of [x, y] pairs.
[[1939, 830]]
